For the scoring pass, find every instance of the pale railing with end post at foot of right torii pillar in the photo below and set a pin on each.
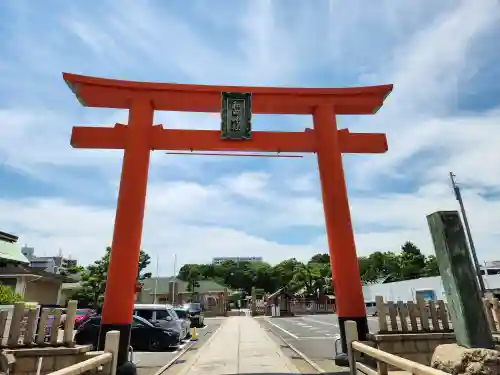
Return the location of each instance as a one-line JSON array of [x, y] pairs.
[[355, 347]]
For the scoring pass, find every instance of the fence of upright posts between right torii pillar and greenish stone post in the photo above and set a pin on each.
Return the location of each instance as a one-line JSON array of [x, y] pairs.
[[412, 317]]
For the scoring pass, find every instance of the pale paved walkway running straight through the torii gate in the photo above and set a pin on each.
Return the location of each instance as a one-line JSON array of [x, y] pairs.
[[241, 346]]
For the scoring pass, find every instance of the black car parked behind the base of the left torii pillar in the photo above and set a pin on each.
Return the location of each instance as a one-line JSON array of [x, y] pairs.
[[144, 335]]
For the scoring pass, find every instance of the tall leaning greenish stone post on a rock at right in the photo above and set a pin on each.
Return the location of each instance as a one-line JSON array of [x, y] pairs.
[[459, 280]]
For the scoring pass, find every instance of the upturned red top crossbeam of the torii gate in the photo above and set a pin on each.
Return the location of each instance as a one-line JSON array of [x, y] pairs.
[[112, 93]]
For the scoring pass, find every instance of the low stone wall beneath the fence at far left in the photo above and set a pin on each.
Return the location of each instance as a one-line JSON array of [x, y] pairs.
[[26, 359]]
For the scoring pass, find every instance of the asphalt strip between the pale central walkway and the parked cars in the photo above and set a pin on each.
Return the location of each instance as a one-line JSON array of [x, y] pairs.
[[149, 362]]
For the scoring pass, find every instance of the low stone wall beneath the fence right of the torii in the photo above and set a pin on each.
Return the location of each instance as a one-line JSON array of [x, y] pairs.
[[417, 347]]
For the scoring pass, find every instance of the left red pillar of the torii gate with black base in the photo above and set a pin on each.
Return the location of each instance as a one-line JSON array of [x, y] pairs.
[[127, 232]]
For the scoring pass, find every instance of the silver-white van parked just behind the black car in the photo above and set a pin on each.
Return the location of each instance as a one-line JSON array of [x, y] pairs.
[[163, 315]]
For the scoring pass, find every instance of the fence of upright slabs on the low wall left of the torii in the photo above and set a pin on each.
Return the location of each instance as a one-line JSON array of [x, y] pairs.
[[26, 325]]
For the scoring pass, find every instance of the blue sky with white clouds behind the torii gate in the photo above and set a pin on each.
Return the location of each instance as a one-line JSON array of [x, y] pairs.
[[443, 115]]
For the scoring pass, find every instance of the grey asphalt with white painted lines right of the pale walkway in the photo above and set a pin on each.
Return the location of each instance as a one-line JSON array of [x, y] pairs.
[[313, 335]]
